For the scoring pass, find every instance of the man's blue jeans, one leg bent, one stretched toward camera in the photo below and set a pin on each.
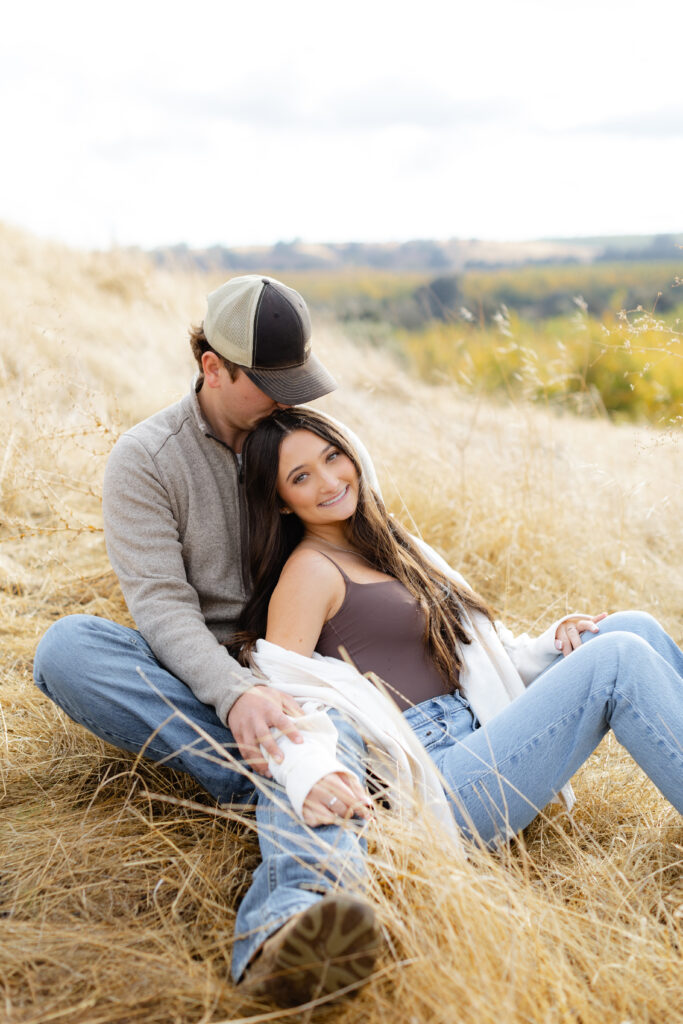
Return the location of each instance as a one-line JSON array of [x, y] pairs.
[[89, 666]]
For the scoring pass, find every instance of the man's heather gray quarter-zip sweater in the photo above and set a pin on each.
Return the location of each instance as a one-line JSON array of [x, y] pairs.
[[176, 529]]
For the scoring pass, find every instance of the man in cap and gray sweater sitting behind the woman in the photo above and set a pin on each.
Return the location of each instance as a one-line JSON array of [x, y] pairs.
[[176, 533]]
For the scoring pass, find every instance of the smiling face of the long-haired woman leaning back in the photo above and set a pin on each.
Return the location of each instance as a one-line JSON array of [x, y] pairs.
[[316, 481]]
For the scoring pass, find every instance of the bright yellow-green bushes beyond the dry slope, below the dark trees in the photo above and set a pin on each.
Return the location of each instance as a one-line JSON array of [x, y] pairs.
[[630, 367]]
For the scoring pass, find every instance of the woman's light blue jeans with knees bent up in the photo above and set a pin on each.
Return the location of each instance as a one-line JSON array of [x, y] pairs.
[[628, 677]]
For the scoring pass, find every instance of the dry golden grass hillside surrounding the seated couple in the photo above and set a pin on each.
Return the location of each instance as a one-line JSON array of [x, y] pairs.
[[119, 881]]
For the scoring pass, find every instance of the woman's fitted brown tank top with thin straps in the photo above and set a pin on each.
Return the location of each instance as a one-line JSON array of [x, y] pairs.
[[381, 626]]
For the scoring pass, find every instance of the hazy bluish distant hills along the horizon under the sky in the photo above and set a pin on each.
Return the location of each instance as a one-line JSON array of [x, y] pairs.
[[420, 254]]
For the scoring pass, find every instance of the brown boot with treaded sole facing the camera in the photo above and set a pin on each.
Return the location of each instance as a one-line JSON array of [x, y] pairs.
[[332, 945]]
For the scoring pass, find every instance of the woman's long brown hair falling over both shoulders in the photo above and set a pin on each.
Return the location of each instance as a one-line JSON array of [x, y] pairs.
[[371, 531]]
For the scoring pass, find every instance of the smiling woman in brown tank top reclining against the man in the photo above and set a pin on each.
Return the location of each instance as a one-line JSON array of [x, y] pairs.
[[335, 576]]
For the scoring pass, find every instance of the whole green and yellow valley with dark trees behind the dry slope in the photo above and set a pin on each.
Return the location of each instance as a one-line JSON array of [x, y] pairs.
[[602, 337]]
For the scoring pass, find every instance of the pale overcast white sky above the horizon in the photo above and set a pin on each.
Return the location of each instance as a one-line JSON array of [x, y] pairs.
[[151, 123]]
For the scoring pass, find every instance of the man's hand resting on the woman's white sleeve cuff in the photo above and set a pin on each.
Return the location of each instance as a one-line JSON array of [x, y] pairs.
[[251, 718]]
